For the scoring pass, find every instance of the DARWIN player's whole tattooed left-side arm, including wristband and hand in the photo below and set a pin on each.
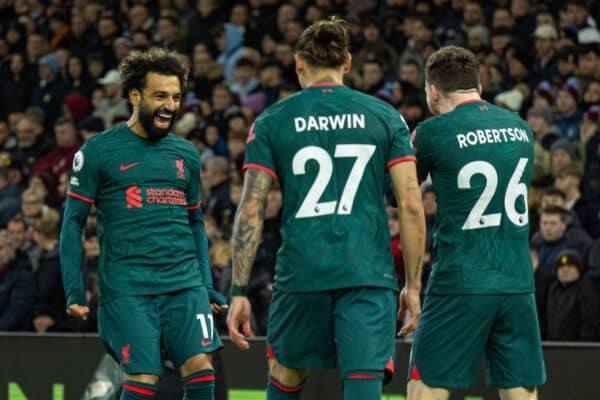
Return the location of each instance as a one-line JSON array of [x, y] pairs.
[[247, 230]]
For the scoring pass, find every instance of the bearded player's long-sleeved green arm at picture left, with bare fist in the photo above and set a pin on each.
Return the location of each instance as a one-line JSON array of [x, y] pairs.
[[71, 250]]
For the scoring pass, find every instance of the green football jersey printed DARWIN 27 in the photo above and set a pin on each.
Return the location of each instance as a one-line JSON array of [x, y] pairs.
[[330, 146]]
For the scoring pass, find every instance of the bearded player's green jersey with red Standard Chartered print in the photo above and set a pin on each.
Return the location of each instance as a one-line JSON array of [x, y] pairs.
[[142, 192]]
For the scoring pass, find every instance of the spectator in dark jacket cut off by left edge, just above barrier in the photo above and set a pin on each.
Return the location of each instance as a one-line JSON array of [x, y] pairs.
[[17, 290]]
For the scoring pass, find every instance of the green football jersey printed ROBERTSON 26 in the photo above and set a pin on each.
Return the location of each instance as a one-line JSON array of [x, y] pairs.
[[480, 158]]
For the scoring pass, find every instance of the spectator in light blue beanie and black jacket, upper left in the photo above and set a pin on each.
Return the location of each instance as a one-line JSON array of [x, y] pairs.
[[51, 89]]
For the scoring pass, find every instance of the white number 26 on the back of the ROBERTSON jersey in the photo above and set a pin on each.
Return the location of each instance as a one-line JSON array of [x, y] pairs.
[[514, 190]]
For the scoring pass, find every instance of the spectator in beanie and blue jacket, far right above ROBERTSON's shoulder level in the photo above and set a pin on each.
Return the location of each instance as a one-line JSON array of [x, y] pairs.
[[567, 107]]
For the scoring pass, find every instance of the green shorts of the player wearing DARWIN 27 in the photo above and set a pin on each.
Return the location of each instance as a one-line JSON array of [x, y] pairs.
[[353, 328]]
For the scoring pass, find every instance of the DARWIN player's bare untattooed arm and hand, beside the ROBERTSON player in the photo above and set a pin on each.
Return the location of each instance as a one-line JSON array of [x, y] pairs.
[[412, 233]]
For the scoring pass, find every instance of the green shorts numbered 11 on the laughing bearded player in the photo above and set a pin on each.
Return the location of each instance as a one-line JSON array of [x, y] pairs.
[[133, 329]]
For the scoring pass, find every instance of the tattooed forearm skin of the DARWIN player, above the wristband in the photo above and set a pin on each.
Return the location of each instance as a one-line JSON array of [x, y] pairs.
[[247, 228]]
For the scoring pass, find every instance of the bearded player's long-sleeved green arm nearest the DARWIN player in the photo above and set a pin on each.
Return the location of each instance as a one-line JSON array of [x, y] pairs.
[[217, 300]]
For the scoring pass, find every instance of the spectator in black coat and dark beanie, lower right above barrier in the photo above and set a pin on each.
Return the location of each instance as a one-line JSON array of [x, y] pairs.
[[573, 303]]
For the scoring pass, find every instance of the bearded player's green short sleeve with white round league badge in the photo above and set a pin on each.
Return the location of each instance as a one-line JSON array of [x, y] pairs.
[[85, 174]]
